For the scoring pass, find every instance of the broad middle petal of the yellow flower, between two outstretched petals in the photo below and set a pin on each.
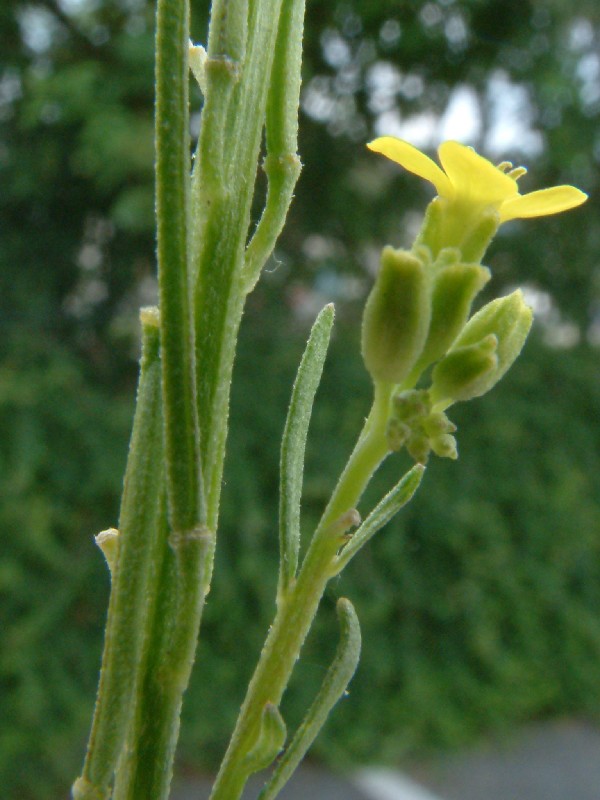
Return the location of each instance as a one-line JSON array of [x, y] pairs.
[[473, 177]]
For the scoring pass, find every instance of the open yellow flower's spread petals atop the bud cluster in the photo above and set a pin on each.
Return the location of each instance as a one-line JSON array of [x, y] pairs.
[[473, 184]]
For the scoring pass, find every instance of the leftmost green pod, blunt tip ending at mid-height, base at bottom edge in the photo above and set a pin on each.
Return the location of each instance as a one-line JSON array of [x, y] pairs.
[[127, 611]]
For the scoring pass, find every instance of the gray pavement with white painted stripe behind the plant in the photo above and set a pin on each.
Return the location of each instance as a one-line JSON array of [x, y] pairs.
[[550, 761]]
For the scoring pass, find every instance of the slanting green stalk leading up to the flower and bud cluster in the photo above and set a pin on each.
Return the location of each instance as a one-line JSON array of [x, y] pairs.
[[296, 613]]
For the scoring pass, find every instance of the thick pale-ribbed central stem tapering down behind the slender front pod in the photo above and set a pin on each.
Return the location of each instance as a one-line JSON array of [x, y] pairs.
[[221, 201]]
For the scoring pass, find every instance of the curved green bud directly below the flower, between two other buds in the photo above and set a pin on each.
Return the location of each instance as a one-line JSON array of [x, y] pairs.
[[454, 289]]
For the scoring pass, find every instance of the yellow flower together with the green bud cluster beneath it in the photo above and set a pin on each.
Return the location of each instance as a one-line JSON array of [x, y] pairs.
[[417, 316]]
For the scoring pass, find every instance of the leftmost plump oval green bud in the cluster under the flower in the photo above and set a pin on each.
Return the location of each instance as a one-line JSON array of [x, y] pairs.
[[396, 317]]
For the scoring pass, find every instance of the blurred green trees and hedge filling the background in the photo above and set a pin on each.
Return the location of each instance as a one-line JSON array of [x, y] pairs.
[[481, 605]]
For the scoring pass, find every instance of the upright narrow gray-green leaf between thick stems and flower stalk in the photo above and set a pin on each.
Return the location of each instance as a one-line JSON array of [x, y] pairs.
[[293, 446]]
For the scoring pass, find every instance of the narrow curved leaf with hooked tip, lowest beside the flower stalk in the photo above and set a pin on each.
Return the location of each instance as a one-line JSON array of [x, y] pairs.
[[333, 688]]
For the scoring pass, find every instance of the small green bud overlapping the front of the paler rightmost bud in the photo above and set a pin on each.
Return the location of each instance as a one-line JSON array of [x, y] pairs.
[[465, 372]]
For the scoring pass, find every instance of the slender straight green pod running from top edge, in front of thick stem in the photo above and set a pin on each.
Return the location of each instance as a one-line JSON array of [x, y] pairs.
[[172, 210]]
